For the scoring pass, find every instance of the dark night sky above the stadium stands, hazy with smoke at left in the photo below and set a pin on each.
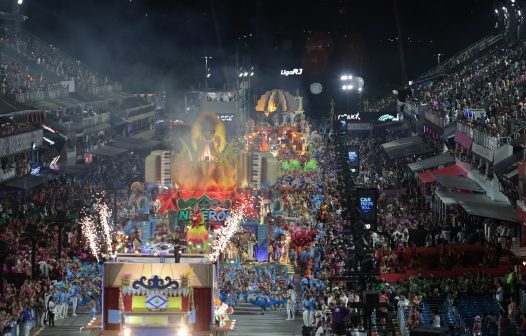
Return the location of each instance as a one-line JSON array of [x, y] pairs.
[[145, 44]]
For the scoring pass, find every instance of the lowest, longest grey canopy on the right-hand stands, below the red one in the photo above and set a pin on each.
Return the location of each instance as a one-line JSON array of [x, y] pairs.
[[480, 205]]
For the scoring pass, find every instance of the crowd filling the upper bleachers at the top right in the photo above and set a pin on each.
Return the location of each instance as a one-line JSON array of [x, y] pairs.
[[493, 82]]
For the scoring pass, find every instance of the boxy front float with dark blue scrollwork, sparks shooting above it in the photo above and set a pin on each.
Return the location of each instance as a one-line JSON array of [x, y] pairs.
[[158, 298]]
